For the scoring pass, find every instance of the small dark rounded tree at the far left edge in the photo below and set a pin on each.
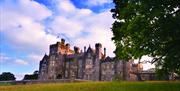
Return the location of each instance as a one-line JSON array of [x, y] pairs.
[[6, 76]]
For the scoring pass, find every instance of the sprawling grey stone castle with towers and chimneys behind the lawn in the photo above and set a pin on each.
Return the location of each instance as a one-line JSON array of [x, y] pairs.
[[90, 64]]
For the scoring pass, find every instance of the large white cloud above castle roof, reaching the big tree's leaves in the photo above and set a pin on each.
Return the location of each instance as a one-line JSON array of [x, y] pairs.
[[84, 27]]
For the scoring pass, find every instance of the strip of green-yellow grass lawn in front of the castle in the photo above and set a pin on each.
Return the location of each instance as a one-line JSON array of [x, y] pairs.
[[97, 86]]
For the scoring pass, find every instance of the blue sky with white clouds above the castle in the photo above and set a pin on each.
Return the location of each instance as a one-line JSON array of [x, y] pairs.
[[28, 27]]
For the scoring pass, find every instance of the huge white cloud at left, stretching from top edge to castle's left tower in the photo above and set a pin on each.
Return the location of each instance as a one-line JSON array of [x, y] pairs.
[[22, 27]]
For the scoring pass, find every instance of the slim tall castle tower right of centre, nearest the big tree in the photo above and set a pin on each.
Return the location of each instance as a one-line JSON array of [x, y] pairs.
[[98, 57]]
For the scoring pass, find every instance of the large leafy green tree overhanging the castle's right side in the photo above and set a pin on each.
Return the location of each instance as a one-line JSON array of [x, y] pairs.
[[148, 27]]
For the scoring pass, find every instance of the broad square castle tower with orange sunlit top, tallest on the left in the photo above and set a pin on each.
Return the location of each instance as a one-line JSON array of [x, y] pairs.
[[56, 60]]
